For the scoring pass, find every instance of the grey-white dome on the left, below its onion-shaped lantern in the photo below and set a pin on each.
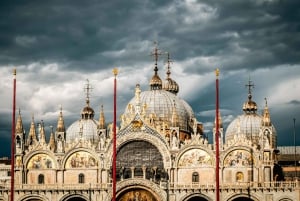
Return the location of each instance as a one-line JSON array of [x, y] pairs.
[[84, 128]]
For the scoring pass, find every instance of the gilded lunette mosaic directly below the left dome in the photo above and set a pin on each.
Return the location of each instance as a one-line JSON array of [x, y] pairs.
[[81, 160]]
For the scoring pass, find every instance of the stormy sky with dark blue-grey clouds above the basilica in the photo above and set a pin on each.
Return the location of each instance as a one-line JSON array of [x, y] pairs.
[[57, 45]]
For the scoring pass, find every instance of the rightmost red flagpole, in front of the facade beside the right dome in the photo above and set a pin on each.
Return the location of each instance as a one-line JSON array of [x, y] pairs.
[[217, 138]]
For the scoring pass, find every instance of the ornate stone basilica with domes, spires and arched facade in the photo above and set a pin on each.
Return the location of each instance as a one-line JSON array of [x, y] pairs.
[[162, 154]]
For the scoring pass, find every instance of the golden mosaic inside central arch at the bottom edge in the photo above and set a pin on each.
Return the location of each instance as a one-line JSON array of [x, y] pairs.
[[137, 195]]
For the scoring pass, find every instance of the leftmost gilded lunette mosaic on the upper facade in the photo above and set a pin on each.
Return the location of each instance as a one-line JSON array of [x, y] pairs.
[[40, 161]]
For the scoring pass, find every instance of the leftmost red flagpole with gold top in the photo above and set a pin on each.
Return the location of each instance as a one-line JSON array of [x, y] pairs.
[[12, 170]]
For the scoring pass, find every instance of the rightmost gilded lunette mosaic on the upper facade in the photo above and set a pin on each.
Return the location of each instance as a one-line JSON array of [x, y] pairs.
[[238, 158]]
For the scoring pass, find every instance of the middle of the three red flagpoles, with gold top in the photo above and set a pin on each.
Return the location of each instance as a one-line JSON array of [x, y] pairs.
[[114, 175]]
